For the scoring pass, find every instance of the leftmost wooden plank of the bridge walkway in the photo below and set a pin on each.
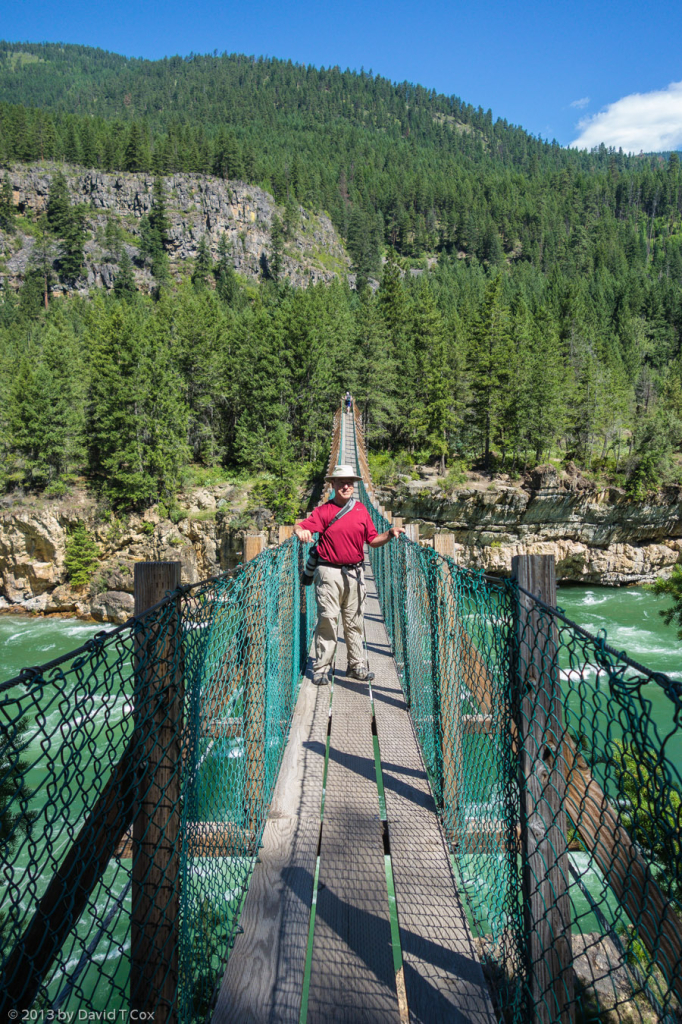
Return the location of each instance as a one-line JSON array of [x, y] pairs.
[[265, 975]]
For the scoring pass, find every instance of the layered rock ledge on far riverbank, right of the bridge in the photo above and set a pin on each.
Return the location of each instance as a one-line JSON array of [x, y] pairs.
[[598, 537]]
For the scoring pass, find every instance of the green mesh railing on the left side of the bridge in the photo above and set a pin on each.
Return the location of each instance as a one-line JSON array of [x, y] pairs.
[[136, 777]]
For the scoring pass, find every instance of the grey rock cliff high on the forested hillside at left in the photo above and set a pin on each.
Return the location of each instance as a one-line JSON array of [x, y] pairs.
[[197, 205]]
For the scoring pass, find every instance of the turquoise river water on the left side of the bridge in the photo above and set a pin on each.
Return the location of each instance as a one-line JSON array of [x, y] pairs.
[[75, 735]]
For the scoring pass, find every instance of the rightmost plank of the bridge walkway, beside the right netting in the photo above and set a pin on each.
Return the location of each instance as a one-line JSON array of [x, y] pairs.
[[443, 974]]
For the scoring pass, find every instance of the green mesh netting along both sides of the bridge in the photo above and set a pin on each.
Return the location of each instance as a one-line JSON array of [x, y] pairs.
[[136, 777]]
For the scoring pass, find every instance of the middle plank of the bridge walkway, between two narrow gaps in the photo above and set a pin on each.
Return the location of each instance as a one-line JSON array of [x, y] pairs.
[[353, 980]]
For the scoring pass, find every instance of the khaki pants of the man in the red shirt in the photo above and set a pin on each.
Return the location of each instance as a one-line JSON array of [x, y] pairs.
[[338, 591]]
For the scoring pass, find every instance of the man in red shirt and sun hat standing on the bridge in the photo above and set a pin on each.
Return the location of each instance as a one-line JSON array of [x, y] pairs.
[[338, 579]]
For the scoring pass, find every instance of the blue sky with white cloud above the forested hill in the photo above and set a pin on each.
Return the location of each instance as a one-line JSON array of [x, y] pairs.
[[546, 66]]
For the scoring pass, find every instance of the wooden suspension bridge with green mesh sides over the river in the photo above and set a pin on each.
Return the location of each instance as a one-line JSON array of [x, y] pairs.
[[488, 831]]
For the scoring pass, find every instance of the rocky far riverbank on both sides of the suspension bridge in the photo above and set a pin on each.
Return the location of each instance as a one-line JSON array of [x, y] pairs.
[[598, 537]]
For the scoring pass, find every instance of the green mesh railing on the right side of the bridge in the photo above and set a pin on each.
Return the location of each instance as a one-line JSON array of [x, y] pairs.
[[559, 784]]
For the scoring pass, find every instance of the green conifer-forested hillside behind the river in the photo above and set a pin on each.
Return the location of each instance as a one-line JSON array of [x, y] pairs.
[[548, 326]]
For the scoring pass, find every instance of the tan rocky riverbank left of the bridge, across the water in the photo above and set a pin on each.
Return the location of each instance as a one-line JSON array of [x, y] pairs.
[[207, 539]]
